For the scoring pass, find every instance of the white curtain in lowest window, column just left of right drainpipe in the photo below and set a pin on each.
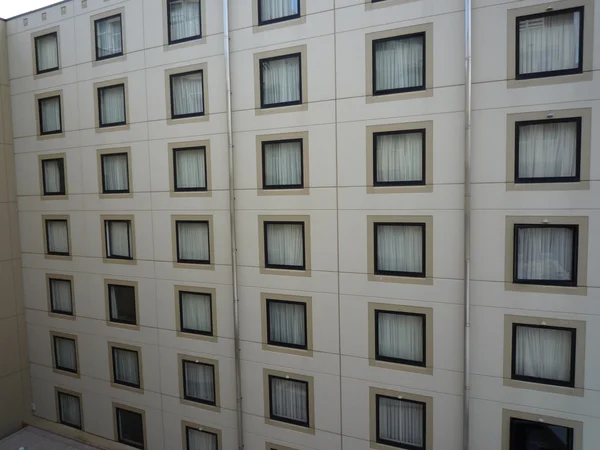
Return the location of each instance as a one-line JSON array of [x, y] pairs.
[[401, 421]]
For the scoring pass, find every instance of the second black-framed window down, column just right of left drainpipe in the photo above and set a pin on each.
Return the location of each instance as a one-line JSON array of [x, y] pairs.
[[281, 81]]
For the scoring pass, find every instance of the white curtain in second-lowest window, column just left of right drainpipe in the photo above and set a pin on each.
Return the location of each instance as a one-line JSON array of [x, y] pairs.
[[400, 336]]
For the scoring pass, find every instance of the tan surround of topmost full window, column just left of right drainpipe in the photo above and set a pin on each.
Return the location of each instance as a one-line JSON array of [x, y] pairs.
[[426, 28]]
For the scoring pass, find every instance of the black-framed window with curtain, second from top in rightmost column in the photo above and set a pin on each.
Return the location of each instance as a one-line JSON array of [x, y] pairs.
[[548, 151]]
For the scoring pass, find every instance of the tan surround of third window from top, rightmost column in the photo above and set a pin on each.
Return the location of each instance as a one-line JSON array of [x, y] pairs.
[[581, 288]]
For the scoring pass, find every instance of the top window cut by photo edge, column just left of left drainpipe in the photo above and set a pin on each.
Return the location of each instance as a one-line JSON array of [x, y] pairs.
[[184, 20]]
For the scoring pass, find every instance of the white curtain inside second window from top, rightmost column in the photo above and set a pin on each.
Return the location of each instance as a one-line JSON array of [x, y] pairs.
[[548, 150]]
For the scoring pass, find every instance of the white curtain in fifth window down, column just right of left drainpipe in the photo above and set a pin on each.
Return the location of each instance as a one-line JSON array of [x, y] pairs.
[[287, 322]]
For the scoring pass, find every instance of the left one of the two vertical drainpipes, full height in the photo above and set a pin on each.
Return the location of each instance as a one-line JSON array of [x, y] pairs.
[[232, 226]]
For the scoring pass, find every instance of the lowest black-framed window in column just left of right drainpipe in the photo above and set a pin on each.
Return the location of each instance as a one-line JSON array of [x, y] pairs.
[[400, 422]]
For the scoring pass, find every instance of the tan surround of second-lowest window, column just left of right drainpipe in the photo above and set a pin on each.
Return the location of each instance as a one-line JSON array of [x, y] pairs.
[[428, 344]]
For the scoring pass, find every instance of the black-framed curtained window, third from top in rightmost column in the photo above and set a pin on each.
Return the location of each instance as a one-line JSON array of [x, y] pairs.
[[546, 254]]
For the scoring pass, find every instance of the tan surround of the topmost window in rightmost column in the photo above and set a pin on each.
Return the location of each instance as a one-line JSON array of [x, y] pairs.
[[588, 39]]
